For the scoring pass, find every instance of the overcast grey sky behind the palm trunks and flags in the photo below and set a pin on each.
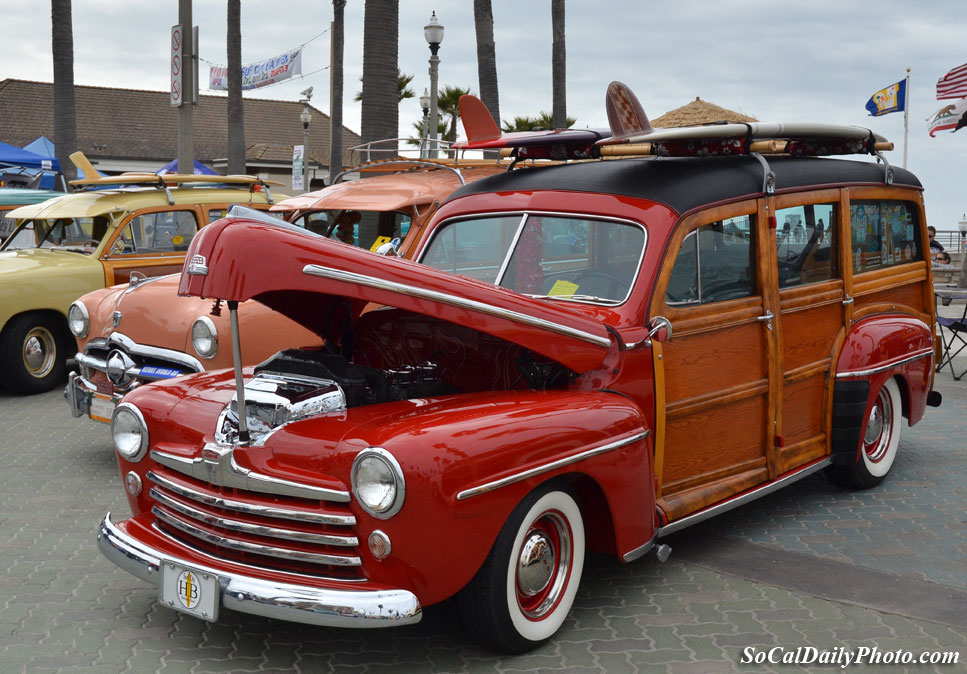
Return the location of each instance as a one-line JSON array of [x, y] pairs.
[[777, 61]]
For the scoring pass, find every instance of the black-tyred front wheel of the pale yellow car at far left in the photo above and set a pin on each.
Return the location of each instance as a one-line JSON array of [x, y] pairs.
[[32, 354]]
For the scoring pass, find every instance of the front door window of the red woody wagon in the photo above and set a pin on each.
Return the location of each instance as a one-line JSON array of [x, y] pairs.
[[714, 263]]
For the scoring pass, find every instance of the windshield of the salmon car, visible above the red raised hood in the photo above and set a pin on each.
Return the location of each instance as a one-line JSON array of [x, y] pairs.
[[365, 229]]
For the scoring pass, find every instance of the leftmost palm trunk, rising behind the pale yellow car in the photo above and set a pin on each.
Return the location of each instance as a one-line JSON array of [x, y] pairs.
[[65, 113]]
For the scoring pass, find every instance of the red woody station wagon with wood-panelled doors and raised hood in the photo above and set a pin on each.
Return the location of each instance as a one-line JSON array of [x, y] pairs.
[[587, 356]]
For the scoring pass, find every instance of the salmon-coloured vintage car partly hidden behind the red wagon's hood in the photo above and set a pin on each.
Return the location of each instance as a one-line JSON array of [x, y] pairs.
[[131, 334]]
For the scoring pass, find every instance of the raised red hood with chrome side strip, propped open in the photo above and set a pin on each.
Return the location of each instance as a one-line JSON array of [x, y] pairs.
[[310, 279]]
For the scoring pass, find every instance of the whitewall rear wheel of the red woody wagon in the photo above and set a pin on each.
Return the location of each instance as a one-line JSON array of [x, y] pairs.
[[879, 443]]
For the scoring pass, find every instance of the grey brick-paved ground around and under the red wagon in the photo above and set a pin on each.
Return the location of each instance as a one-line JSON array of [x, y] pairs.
[[66, 609]]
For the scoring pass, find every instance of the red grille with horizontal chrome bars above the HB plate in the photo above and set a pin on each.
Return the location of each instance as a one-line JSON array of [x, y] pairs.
[[278, 532]]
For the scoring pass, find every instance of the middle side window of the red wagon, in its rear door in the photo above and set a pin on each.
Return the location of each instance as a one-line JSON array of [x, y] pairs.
[[806, 244]]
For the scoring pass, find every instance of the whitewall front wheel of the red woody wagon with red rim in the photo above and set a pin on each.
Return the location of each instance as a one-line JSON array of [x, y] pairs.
[[526, 587]]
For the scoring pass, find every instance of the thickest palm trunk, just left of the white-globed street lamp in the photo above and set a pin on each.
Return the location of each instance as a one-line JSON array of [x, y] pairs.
[[381, 94]]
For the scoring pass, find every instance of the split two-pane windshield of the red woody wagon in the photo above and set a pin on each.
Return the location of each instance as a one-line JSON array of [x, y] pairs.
[[566, 258]]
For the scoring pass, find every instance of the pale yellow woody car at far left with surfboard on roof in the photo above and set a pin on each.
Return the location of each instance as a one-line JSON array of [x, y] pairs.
[[139, 226]]
